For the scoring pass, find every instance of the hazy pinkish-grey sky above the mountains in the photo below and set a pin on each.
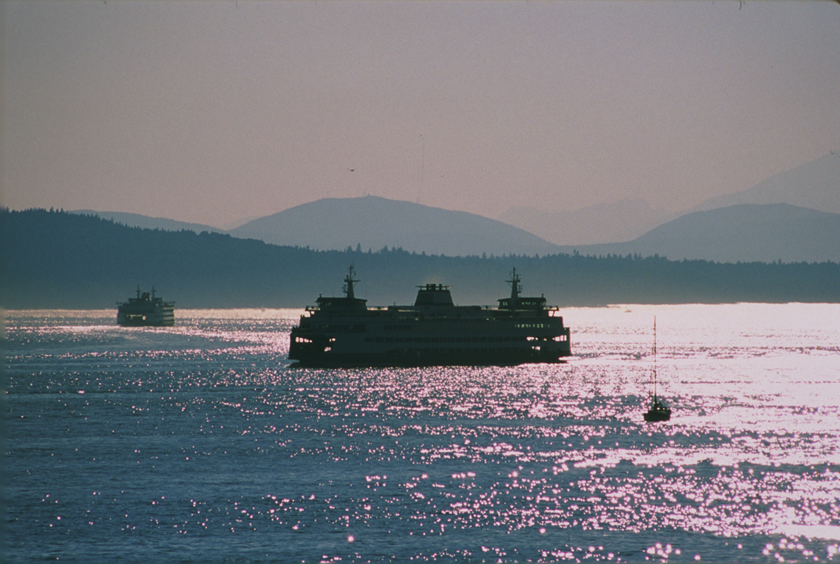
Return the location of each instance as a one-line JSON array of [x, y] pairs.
[[215, 111]]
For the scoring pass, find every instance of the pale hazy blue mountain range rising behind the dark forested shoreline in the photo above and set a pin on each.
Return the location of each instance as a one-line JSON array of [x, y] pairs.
[[792, 216]]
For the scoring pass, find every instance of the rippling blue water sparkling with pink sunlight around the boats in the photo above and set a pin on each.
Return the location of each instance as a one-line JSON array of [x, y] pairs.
[[199, 443]]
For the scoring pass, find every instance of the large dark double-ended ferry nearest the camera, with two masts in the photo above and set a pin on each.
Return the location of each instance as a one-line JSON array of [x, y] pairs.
[[345, 332]]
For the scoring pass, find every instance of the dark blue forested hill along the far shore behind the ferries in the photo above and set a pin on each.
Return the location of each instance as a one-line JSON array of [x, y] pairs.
[[54, 259]]
